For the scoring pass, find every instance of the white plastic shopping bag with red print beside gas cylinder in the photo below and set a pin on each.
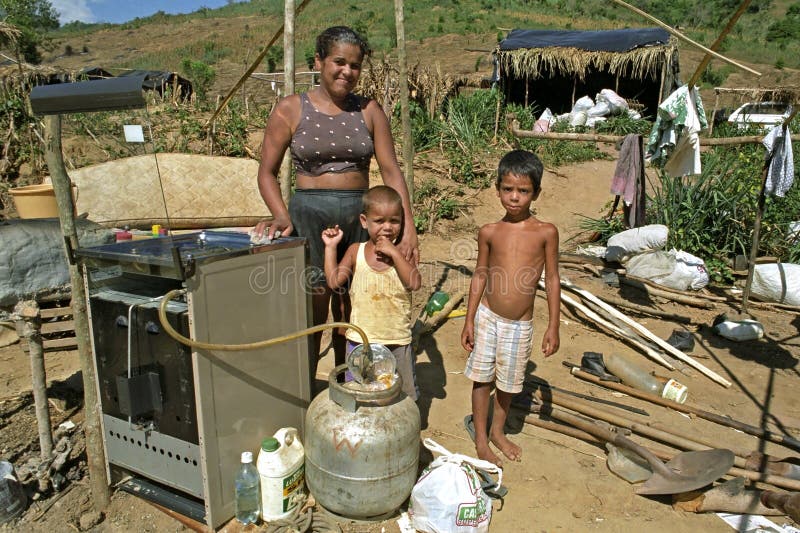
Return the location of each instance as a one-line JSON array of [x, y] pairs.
[[448, 495]]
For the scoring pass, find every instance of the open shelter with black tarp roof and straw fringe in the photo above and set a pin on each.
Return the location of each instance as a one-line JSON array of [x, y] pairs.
[[553, 68]]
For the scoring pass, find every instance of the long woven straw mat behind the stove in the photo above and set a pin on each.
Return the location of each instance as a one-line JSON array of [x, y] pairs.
[[195, 187]]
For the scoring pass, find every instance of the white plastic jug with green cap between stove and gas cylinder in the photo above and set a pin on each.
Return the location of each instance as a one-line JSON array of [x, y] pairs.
[[281, 465]]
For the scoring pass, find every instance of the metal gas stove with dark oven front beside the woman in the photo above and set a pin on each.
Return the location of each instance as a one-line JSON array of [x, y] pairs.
[[177, 419]]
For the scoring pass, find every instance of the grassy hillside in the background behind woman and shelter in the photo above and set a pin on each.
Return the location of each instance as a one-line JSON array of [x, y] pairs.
[[450, 32]]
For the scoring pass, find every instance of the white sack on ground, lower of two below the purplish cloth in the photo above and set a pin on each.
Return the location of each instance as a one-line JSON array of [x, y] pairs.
[[675, 269]]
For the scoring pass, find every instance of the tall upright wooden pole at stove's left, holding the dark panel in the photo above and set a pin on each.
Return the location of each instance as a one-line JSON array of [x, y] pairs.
[[95, 454]]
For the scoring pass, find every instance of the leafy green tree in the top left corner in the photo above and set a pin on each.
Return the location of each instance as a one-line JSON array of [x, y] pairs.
[[34, 18]]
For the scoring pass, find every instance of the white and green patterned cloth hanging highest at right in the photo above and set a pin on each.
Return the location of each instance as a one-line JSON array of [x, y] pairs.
[[674, 141]]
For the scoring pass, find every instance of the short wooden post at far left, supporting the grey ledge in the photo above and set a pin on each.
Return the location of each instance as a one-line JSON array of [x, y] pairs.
[[29, 327]]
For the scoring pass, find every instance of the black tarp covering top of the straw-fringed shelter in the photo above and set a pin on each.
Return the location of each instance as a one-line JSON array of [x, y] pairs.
[[593, 41]]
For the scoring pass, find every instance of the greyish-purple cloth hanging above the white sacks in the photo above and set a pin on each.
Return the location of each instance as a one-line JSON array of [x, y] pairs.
[[629, 180]]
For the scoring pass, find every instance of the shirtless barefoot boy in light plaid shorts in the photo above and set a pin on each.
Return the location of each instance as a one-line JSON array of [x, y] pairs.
[[498, 330]]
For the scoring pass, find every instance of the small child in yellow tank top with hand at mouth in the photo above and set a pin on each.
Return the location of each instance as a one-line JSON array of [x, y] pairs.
[[381, 280]]
